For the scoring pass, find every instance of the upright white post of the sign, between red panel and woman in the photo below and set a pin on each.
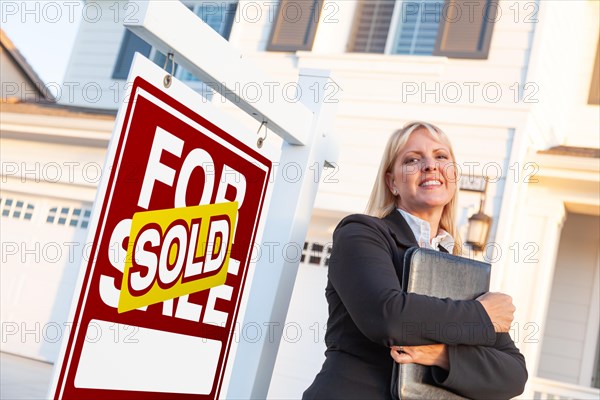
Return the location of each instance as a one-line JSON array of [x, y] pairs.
[[286, 228]]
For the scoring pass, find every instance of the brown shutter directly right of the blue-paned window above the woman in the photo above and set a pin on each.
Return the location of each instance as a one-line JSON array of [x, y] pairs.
[[466, 28]]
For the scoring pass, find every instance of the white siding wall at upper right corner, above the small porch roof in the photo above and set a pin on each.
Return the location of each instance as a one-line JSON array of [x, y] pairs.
[[561, 67]]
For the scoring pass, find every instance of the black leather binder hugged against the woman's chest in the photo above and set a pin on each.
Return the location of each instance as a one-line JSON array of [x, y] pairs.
[[442, 275]]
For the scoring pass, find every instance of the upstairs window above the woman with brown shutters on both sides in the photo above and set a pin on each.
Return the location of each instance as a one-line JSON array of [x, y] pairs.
[[452, 28]]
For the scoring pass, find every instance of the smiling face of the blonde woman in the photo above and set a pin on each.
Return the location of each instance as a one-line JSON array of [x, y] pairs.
[[423, 174]]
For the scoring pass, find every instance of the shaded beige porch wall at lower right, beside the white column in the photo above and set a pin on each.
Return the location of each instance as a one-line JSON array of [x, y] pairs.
[[564, 341]]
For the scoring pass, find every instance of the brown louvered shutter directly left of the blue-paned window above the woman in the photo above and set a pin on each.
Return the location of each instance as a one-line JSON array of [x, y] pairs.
[[371, 26]]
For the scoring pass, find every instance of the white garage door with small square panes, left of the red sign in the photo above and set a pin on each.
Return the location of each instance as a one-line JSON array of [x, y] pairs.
[[42, 248]]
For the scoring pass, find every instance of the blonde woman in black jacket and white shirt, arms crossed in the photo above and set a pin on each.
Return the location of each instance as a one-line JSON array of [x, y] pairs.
[[412, 204]]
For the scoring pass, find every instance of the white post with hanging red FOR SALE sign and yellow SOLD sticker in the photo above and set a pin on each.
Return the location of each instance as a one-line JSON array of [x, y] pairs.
[[186, 199]]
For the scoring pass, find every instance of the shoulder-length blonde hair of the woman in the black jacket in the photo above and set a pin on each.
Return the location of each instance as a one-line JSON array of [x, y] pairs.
[[382, 202]]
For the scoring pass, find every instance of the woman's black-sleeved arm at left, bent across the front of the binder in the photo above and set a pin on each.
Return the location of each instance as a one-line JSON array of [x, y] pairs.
[[361, 269]]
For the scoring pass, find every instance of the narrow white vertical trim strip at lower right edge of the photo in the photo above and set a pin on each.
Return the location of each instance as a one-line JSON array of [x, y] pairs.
[[590, 345]]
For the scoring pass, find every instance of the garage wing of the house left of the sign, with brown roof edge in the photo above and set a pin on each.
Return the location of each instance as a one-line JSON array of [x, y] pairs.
[[52, 156]]
